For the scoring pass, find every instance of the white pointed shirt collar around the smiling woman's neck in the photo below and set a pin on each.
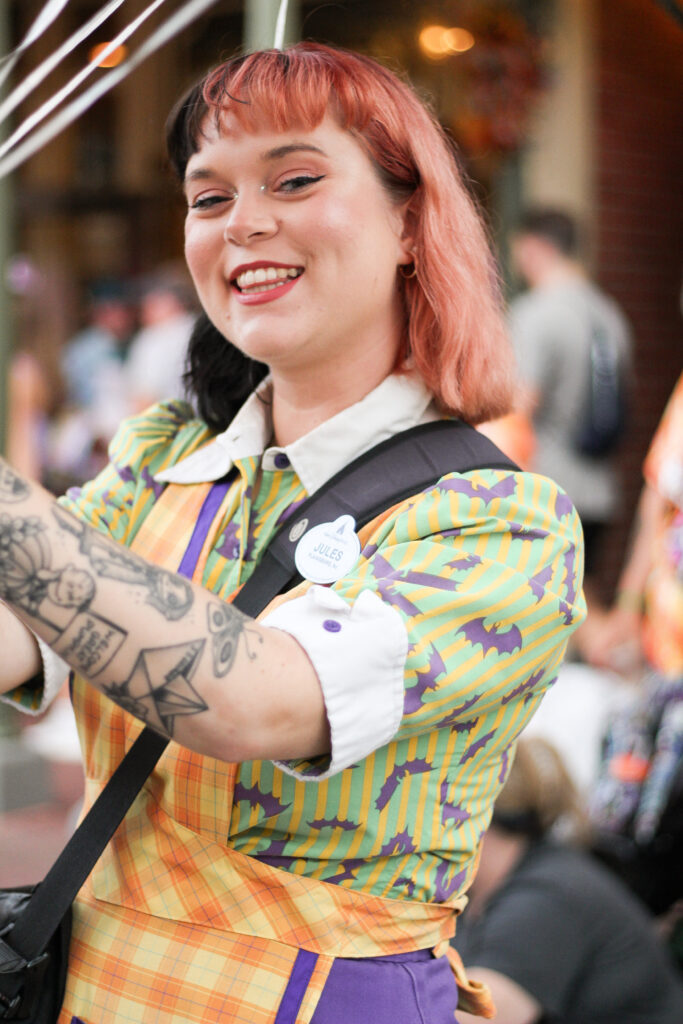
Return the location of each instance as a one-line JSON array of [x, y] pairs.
[[401, 402]]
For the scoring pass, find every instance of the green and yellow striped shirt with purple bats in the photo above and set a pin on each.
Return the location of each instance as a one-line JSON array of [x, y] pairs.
[[484, 571]]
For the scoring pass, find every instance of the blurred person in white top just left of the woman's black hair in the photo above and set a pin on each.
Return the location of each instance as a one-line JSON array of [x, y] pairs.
[[158, 353]]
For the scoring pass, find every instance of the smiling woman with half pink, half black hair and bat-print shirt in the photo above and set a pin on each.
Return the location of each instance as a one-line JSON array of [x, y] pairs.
[[303, 849]]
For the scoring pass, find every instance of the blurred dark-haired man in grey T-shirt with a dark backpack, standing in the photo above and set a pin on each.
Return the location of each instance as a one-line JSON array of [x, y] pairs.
[[570, 339]]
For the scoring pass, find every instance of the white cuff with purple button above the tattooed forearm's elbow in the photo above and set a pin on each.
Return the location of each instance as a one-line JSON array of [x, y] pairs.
[[359, 653]]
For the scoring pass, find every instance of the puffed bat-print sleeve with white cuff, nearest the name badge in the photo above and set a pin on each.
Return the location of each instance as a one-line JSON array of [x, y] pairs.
[[484, 574]]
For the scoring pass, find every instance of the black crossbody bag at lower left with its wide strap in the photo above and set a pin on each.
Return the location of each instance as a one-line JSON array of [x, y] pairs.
[[35, 922]]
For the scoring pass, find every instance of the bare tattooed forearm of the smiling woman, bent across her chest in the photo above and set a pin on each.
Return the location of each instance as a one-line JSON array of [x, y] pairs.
[[168, 652]]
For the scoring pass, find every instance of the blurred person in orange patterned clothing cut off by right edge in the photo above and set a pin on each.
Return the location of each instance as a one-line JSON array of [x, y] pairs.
[[637, 803]]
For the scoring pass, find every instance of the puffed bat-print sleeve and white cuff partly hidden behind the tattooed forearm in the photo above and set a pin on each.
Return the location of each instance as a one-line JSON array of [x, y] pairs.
[[143, 446]]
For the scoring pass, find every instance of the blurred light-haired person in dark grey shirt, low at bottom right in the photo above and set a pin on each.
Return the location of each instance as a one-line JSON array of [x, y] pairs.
[[557, 936]]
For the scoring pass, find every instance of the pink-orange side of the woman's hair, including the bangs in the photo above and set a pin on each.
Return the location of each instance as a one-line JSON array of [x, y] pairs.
[[456, 336]]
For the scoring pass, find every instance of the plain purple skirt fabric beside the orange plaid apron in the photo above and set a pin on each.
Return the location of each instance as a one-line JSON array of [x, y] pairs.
[[407, 989]]
